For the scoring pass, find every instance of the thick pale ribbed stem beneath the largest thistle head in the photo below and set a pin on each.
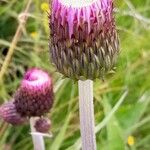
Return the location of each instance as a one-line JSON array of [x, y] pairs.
[[87, 115]]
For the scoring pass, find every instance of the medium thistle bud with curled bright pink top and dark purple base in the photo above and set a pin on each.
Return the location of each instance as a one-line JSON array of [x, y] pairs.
[[35, 95]]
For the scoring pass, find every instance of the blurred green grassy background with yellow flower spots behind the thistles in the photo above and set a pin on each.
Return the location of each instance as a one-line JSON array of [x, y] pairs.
[[122, 108]]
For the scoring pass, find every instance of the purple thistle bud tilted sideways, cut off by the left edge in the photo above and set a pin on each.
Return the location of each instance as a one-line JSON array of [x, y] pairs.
[[9, 114]]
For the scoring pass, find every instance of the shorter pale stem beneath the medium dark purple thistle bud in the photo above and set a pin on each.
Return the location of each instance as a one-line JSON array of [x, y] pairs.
[[38, 140]]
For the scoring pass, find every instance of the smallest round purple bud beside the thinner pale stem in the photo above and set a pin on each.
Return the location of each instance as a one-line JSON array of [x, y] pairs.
[[43, 125]]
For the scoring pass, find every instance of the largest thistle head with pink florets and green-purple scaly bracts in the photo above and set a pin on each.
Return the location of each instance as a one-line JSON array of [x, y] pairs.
[[84, 41]]
